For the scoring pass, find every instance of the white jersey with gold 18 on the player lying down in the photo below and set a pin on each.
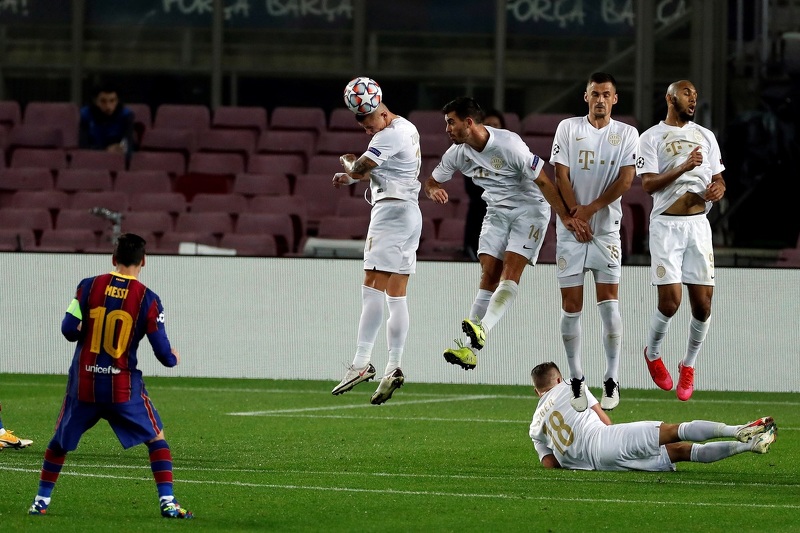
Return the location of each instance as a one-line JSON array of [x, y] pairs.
[[560, 430]]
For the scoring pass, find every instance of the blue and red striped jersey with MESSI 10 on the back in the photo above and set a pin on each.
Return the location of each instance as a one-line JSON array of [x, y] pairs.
[[109, 316]]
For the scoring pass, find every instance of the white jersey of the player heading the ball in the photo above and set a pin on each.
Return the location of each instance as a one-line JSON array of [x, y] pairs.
[[395, 149]]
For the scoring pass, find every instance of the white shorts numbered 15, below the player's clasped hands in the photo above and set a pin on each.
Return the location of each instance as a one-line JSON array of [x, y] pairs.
[[602, 255]]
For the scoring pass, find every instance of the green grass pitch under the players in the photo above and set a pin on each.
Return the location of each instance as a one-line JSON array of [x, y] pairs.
[[434, 458]]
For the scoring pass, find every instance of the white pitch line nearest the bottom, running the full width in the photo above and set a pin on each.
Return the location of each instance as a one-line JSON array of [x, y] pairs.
[[462, 495]]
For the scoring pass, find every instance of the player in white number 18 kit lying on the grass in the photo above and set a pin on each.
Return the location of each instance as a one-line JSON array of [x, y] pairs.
[[566, 438]]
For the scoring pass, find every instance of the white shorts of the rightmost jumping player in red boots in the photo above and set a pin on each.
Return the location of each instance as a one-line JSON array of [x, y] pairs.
[[681, 250]]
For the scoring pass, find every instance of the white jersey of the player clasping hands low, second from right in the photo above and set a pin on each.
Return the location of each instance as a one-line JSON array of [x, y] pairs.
[[594, 158]]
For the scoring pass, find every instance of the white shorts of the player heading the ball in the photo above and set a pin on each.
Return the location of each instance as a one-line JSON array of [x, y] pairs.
[[393, 237]]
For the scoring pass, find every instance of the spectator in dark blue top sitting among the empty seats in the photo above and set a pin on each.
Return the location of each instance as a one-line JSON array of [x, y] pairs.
[[106, 124]]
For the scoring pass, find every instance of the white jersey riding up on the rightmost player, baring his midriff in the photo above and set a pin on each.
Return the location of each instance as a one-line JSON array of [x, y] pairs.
[[664, 147]]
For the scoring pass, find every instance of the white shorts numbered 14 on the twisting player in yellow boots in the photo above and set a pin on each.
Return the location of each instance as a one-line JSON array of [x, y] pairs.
[[514, 229]]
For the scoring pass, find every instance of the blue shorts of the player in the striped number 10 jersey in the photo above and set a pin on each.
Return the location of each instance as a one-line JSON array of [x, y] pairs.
[[133, 422]]
